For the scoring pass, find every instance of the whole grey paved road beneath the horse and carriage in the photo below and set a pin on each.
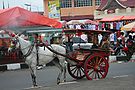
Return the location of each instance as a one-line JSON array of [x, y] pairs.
[[119, 75]]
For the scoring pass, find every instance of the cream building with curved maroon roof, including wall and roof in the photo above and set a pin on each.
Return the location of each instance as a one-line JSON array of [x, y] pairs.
[[109, 8]]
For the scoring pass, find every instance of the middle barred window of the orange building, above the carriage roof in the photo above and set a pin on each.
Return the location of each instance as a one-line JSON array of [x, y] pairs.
[[81, 3]]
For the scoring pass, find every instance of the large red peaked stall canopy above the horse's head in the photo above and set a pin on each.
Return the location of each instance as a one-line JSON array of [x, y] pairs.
[[19, 17]]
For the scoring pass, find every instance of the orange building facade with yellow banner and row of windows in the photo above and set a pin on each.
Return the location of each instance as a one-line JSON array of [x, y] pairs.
[[70, 9]]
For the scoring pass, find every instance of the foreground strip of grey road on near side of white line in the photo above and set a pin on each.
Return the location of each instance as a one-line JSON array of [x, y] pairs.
[[119, 83]]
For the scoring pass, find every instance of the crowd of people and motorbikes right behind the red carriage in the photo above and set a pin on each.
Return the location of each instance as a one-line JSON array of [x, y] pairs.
[[123, 40]]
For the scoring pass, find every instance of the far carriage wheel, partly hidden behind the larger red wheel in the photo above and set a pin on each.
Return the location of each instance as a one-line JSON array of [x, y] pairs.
[[76, 71]]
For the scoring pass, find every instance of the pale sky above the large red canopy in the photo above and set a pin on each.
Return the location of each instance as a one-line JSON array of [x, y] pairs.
[[36, 5]]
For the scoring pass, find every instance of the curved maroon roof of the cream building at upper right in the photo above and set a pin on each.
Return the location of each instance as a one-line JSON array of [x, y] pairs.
[[122, 3]]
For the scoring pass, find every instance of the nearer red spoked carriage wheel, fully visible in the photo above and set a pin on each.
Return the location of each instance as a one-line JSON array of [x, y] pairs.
[[96, 67]]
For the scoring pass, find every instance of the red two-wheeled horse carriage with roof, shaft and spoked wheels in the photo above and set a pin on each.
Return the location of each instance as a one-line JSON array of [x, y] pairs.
[[93, 62]]
